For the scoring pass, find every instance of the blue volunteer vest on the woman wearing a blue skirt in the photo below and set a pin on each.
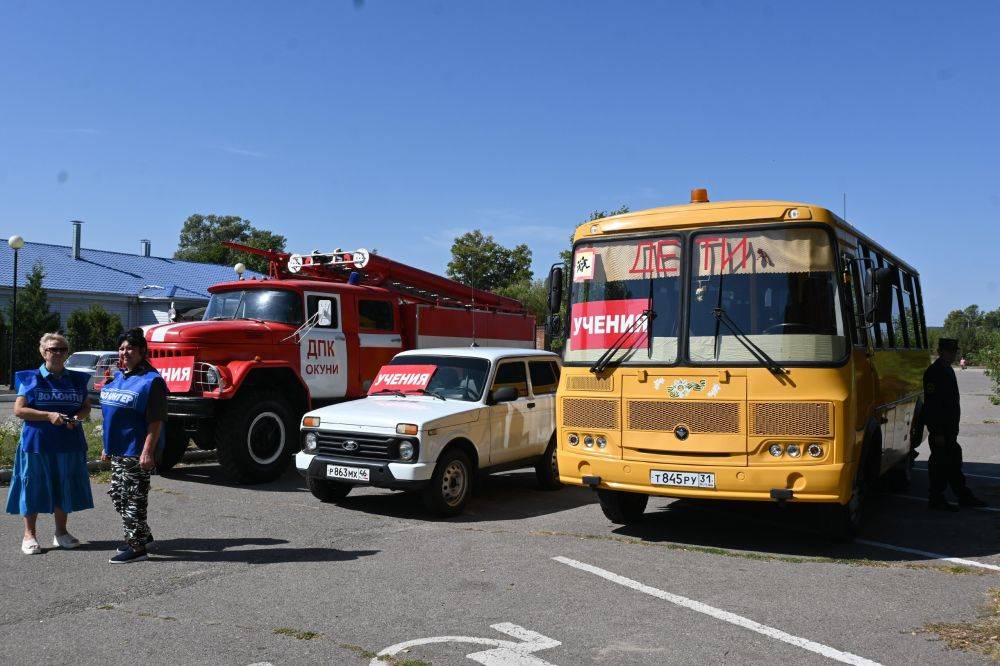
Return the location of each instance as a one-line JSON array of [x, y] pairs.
[[45, 391]]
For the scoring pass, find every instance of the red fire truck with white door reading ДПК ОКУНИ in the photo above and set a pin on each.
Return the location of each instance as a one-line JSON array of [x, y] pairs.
[[315, 331]]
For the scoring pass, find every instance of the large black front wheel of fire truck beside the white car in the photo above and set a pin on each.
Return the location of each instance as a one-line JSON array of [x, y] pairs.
[[254, 437]]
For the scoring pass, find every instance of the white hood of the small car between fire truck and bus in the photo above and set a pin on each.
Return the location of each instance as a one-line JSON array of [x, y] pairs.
[[387, 411]]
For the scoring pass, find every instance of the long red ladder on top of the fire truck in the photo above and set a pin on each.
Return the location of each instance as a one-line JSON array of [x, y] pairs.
[[366, 268]]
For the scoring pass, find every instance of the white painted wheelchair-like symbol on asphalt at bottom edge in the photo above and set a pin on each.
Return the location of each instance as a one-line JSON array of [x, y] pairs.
[[503, 653]]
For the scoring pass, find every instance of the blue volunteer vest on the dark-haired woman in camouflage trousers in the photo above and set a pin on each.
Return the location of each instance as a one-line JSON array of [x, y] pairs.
[[123, 404]]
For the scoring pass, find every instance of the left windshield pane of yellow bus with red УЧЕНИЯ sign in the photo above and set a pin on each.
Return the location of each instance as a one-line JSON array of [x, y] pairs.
[[614, 283]]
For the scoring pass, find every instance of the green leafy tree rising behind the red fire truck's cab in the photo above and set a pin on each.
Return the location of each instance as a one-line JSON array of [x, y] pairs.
[[202, 237]]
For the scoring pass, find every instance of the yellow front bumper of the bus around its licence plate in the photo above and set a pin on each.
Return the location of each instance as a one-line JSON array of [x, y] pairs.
[[807, 483]]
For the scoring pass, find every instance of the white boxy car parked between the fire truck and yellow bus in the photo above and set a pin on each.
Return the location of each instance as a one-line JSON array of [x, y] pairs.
[[484, 410]]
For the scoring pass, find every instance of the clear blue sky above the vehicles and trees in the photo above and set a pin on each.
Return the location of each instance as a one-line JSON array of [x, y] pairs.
[[401, 124]]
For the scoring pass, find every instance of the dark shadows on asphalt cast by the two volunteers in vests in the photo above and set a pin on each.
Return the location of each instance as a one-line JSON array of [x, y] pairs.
[[219, 550]]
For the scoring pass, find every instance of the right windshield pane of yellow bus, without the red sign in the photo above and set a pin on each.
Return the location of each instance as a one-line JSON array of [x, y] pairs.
[[777, 287]]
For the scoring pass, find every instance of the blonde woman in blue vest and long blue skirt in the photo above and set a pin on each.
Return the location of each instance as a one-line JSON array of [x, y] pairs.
[[50, 467]]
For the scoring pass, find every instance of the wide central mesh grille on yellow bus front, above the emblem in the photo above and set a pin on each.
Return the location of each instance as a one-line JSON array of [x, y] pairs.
[[699, 417]]
